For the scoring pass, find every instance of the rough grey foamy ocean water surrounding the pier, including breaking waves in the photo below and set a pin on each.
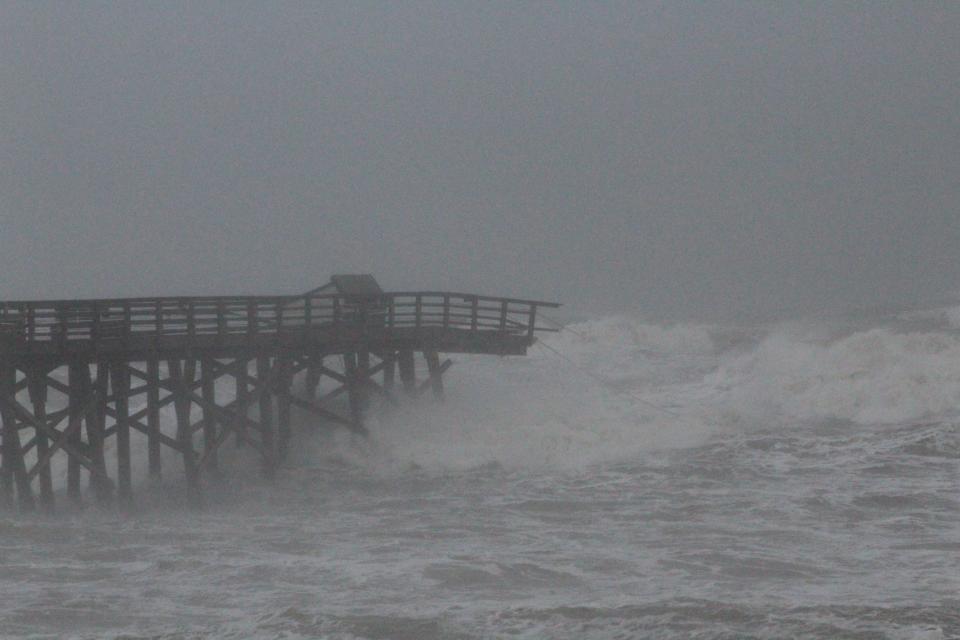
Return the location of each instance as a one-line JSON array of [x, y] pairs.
[[625, 480]]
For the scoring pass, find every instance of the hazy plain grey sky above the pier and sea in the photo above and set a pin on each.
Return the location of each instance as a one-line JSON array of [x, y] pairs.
[[687, 160]]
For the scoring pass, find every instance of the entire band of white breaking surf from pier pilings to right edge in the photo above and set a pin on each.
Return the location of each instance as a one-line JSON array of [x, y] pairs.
[[607, 390]]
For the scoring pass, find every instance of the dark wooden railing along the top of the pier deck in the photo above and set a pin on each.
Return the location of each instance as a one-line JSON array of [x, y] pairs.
[[97, 320]]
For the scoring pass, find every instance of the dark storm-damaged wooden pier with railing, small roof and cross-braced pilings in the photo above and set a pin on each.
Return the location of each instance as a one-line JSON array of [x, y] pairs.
[[69, 370]]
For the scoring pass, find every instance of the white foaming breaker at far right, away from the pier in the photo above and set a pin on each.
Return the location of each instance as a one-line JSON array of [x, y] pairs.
[[874, 376]]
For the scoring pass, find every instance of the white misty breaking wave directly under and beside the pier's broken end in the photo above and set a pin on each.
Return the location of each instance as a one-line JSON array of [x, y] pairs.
[[588, 395]]
